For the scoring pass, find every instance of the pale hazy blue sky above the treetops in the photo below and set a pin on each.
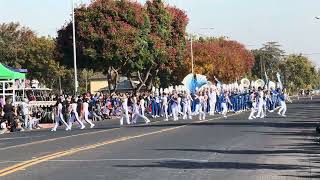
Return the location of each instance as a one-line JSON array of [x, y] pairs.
[[292, 23]]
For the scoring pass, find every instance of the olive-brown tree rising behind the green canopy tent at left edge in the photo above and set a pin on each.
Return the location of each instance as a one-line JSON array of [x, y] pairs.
[[21, 48]]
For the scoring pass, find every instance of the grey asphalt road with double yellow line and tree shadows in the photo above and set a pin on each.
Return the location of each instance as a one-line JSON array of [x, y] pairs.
[[232, 148]]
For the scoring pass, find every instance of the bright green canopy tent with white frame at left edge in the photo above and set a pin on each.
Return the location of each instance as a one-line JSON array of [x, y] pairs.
[[7, 80]]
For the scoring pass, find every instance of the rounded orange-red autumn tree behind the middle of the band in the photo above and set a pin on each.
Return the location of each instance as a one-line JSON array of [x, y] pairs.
[[224, 59]]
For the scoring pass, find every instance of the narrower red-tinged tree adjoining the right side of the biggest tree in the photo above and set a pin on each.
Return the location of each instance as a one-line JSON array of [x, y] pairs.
[[168, 41]]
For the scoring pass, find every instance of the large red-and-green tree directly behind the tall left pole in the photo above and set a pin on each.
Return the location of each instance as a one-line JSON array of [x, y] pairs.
[[110, 38]]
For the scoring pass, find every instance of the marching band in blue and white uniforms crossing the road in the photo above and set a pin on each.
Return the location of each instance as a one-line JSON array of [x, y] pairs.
[[178, 102]]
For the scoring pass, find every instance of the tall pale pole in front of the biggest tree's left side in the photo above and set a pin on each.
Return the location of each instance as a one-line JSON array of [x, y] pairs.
[[74, 51]]
